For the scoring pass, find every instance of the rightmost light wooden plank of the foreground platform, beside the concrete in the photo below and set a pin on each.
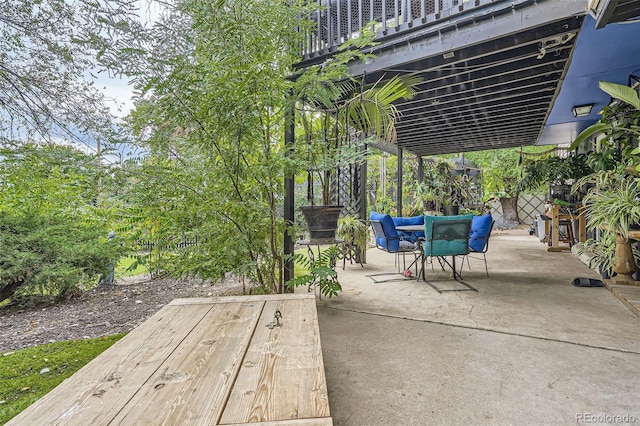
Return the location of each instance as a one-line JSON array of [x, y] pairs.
[[255, 394]]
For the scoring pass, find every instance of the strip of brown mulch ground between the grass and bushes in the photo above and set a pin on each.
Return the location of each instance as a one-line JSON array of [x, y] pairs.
[[102, 311]]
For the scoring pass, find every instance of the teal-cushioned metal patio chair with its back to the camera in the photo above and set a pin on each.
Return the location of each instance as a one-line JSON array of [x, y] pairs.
[[446, 236]]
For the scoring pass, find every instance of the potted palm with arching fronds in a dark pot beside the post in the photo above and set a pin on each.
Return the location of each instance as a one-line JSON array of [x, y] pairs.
[[331, 137]]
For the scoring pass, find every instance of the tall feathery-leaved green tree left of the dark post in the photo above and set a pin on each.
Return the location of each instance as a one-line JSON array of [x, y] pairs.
[[216, 81]]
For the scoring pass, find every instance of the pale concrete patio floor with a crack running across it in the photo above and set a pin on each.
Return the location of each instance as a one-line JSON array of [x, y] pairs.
[[526, 348]]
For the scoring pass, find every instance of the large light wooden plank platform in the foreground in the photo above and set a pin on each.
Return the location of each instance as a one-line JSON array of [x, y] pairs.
[[202, 361]]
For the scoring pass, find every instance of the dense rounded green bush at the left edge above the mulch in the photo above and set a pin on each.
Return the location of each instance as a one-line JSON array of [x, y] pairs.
[[52, 241]]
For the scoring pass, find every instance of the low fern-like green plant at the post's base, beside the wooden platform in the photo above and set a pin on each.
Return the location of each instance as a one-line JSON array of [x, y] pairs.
[[322, 274]]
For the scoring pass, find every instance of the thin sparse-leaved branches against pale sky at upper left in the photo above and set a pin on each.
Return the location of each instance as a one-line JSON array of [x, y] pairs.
[[51, 53]]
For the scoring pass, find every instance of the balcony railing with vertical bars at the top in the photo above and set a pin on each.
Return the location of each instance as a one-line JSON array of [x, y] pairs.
[[338, 20]]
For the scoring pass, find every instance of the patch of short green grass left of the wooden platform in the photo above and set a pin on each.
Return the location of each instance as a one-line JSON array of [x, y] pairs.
[[22, 381]]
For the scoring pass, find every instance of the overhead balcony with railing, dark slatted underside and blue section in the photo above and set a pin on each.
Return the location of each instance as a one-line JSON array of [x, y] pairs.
[[495, 73]]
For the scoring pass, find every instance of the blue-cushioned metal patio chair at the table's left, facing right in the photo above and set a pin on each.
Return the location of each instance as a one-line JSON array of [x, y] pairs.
[[388, 239]]
